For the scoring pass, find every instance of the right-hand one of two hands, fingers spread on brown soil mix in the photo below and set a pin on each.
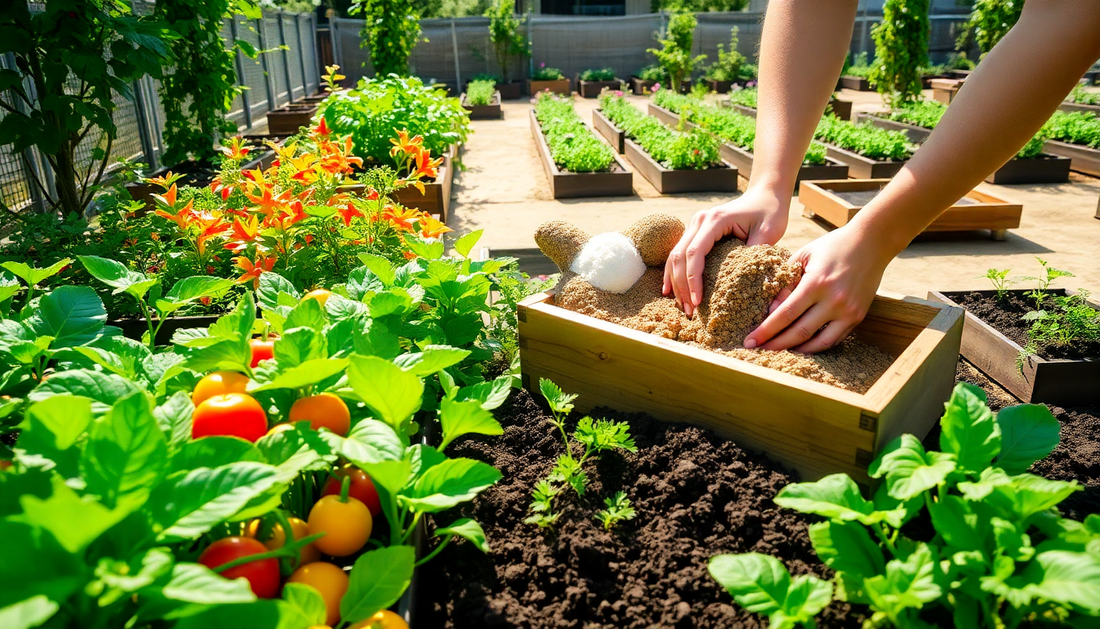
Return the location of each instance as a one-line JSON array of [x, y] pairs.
[[841, 273]]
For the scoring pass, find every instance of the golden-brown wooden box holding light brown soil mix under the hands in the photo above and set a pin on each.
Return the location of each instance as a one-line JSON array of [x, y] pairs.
[[812, 427]]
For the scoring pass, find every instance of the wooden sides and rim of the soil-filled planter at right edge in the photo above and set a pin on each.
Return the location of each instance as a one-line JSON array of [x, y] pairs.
[[1060, 382]]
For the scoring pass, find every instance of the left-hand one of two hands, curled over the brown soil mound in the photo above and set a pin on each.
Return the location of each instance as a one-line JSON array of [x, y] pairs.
[[755, 217]]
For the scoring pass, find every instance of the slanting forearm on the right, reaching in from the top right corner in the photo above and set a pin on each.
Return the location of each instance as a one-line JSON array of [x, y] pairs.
[[1005, 103]]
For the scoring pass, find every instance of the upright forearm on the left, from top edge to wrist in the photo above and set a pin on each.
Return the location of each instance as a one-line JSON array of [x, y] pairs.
[[802, 50]]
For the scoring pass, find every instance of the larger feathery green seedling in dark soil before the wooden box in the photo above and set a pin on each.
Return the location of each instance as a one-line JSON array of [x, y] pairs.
[[596, 436]]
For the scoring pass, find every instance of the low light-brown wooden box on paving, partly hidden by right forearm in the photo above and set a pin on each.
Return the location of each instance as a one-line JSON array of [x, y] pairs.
[[975, 212]]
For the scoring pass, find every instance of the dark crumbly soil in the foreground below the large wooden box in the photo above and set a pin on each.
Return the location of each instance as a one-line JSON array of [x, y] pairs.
[[697, 495]]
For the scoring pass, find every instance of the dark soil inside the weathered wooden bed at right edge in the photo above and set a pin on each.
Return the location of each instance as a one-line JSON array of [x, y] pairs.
[[1006, 316]]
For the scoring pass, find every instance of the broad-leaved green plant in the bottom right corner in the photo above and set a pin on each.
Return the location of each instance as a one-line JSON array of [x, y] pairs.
[[1000, 554]]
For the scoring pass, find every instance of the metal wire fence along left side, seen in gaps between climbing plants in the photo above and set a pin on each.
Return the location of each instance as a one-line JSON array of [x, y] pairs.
[[288, 70]]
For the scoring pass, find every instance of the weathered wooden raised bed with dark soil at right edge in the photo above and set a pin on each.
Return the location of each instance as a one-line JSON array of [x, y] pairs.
[[994, 337]]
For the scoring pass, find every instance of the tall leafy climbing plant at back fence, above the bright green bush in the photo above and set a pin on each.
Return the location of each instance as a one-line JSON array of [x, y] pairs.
[[391, 32]]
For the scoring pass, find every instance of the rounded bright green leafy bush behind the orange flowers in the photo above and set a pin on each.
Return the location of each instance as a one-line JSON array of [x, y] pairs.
[[373, 112]]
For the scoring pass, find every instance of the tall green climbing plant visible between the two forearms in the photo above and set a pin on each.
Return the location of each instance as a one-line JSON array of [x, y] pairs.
[[901, 49]]
